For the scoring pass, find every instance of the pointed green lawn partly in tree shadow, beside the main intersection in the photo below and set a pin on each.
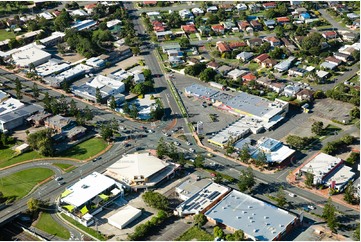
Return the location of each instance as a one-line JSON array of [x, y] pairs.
[[85, 149]]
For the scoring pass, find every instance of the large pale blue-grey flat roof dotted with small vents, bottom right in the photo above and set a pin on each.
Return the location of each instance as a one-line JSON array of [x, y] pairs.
[[258, 219]]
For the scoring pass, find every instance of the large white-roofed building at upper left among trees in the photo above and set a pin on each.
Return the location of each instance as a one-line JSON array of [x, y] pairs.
[[34, 55]]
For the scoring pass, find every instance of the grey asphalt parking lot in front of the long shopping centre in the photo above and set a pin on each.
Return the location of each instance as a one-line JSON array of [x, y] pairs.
[[199, 112]]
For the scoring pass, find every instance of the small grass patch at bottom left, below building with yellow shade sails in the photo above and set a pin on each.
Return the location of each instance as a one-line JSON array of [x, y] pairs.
[[47, 224]]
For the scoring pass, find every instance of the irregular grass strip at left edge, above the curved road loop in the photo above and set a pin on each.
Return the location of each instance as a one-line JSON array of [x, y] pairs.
[[7, 159]]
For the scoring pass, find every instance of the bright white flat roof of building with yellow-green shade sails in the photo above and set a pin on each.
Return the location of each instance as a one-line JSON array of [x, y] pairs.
[[87, 188]]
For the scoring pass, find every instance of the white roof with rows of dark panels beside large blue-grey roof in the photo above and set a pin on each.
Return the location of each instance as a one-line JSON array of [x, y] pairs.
[[202, 199]]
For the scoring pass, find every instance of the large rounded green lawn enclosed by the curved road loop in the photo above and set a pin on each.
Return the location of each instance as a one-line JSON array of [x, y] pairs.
[[20, 183]]
